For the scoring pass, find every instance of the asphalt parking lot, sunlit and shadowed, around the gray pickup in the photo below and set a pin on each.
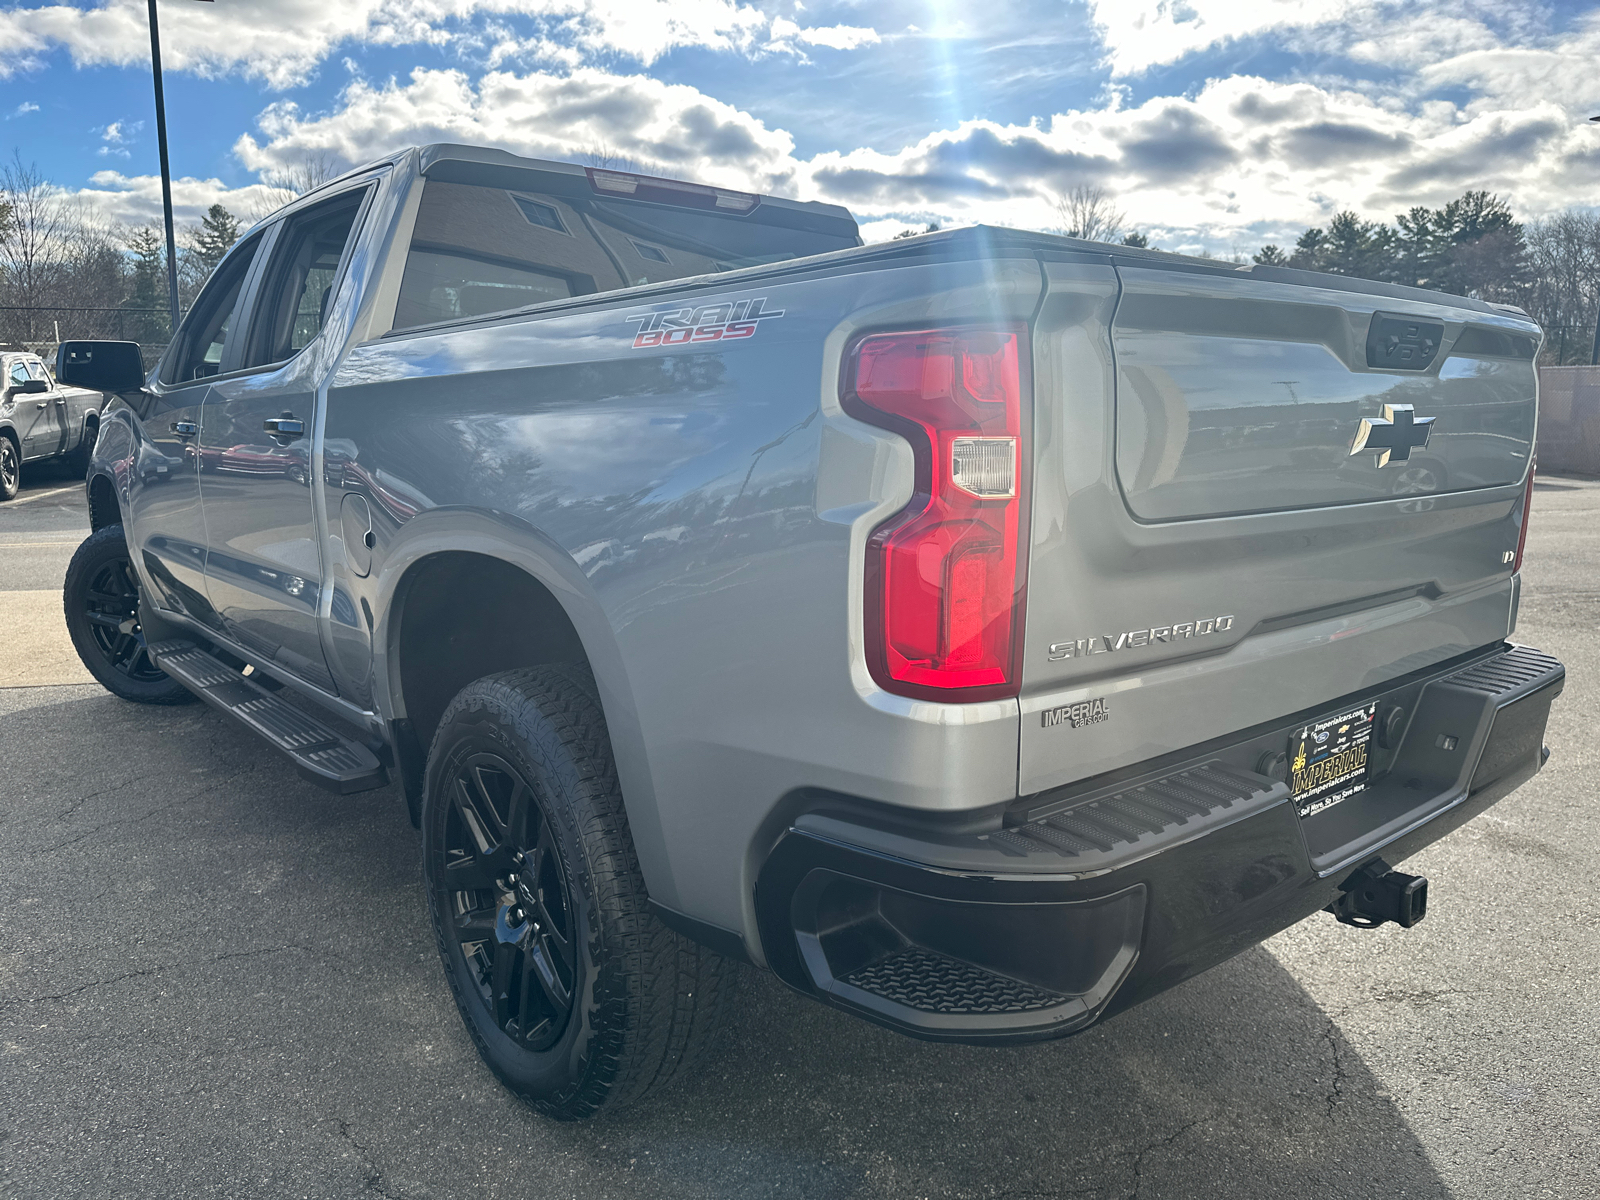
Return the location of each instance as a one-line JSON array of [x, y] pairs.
[[220, 982]]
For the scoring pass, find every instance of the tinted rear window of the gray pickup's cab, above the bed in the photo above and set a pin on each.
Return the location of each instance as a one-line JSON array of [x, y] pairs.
[[482, 250]]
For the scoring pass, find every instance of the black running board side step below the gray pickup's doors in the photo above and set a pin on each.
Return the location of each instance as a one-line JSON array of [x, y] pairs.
[[321, 756]]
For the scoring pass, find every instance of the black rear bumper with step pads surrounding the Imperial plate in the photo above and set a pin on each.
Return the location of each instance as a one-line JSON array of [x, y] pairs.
[[1084, 902]]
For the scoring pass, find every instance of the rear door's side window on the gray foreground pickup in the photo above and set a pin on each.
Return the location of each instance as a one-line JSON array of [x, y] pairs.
[[300, 281]]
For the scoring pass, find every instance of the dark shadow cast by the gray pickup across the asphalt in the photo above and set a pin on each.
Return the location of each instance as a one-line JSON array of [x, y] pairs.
[[214, 974]]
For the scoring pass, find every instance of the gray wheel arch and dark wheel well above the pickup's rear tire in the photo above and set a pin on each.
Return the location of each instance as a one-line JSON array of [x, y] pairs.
[[474, 575]]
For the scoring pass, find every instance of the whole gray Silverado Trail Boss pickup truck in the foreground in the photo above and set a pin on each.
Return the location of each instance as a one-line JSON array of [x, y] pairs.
[[983, 631]]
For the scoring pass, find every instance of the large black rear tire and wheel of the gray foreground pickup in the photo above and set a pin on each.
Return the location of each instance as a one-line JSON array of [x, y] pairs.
[[646, 1001]]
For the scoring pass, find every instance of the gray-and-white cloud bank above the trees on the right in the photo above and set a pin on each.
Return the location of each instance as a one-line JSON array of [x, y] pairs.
[[1241, 162]]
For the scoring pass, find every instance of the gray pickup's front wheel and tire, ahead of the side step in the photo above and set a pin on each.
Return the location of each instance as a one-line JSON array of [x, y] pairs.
[[102, 604]]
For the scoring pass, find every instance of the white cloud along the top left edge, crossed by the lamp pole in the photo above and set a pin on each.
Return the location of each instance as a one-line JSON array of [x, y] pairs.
[[284, 41]]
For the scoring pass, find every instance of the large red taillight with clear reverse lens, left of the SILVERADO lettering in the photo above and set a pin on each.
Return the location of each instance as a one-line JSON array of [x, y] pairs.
[[946, 575]]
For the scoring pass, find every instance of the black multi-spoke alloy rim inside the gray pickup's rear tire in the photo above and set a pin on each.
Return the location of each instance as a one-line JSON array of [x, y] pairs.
[[508, 898]]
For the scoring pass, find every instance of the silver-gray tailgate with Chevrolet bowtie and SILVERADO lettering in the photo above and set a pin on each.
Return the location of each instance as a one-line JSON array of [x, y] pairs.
[[1207, 551]]
